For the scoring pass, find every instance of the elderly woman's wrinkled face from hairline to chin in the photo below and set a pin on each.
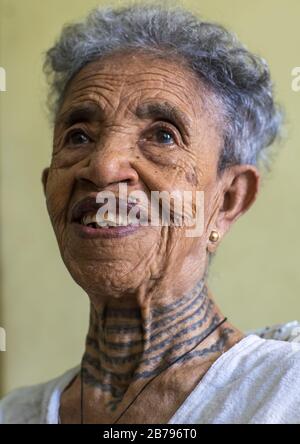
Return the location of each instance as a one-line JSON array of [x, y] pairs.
[[105, 135]]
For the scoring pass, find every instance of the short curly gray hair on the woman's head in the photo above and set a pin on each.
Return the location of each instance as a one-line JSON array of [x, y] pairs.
[[239, 79]]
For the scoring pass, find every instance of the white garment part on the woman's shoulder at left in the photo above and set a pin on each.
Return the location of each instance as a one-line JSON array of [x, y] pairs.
[[30, 405]]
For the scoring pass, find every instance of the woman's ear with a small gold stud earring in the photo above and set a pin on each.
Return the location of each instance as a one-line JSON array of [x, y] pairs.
[[240, 185]]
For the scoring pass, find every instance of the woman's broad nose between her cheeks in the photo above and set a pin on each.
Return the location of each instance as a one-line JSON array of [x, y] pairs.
[[109, 165]]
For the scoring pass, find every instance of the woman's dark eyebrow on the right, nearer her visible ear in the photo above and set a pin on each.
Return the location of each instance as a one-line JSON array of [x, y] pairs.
[[164, 110]]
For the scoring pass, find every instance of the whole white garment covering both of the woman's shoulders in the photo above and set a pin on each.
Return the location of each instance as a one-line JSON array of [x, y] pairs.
[[255, 381]]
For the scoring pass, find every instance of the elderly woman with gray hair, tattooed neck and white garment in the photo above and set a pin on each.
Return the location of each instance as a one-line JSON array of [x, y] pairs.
[[155, 99]]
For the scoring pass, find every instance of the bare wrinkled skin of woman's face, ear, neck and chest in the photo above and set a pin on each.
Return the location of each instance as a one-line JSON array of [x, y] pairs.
[[154, 266]]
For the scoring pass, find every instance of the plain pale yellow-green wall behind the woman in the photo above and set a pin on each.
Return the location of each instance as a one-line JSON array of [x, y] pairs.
[[255, 276]]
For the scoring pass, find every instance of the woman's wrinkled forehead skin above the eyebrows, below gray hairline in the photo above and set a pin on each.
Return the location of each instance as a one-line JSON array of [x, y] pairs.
[[120, 79]]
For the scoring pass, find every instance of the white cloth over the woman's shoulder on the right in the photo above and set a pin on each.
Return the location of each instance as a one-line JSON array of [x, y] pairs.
[[255, 381]]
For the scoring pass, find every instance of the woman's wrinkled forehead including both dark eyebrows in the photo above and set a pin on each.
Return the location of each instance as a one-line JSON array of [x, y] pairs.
[[140, 89]]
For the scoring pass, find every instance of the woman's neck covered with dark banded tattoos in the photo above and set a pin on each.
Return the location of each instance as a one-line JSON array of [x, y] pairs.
[[127, 344]]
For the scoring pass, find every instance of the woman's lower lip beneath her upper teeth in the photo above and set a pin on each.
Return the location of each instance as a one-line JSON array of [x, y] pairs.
[[105, 232]]
